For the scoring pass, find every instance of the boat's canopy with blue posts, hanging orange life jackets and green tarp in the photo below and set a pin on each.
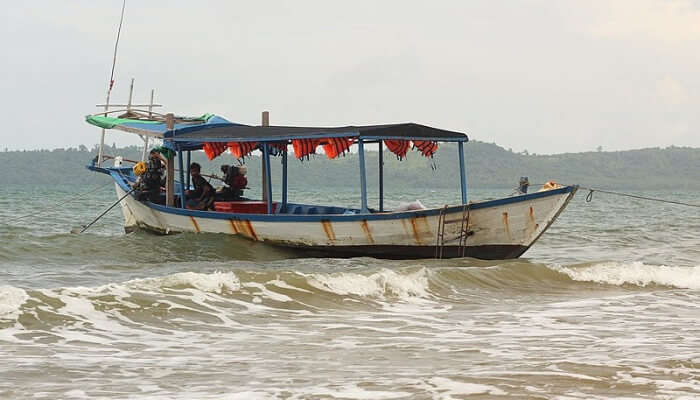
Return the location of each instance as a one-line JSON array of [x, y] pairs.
[[215, 135]]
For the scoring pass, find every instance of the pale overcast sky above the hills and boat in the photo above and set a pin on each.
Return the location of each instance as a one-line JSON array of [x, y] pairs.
[[543, 76]]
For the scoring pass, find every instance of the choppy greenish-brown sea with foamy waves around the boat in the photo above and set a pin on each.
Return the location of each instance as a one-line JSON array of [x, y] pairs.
[[606, 305]]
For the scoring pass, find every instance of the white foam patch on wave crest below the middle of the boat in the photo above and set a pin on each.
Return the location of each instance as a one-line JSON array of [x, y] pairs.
[[379, 284]]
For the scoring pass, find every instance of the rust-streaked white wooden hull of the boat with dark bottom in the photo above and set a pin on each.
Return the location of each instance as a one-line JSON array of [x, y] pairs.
[[496, 229]]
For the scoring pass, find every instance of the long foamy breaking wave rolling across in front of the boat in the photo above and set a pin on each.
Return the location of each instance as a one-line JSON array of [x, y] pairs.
[[215, 295]]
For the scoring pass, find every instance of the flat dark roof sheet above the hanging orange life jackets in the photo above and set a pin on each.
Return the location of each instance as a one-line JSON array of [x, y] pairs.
[[245, 133]]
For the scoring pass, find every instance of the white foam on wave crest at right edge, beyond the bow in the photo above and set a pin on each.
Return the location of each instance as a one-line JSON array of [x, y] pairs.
[[635, 273]]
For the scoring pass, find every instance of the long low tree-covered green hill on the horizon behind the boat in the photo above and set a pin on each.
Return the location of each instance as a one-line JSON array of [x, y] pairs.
[[488, 166]]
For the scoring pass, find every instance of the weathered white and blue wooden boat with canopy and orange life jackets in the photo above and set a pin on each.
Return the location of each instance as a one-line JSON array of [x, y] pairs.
[[495, 229]]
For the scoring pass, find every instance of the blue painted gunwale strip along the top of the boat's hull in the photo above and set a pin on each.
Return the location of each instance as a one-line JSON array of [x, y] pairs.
[[119, 178]]
